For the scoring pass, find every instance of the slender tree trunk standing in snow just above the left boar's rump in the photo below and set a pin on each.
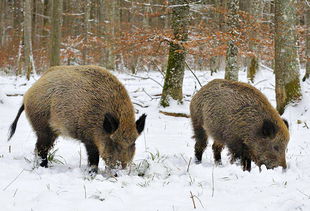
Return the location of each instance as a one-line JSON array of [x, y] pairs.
[[28, 65]]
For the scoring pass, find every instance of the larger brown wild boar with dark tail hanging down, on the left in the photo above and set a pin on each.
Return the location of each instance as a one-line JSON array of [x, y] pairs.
[[86, 103]]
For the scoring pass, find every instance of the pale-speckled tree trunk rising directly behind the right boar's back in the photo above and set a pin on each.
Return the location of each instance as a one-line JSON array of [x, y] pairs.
[[231, 69]]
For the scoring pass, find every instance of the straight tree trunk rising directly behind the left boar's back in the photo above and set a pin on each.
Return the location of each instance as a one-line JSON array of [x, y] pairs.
[[56, 33]]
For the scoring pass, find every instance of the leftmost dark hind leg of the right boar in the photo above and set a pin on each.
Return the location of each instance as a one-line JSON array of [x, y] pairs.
[[201, 142]]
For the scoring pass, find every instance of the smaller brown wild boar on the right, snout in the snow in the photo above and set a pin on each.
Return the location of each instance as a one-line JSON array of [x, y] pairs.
[[238, 116]]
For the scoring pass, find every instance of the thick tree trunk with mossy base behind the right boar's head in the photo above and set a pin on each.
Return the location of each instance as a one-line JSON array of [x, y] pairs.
[[286, 57]]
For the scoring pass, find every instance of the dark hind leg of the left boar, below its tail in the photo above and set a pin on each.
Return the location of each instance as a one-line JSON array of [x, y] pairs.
[[45, 142]]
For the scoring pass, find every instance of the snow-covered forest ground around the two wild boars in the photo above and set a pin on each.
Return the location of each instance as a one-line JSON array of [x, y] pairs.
[[163, 176]]
